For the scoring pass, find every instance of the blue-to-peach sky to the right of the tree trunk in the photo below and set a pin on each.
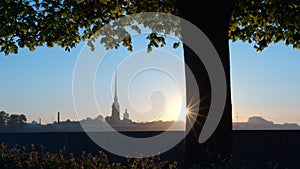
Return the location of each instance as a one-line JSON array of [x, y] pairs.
[[266, 83]]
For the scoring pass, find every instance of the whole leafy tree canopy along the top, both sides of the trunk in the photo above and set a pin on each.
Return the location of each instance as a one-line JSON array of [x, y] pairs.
[[34, 23]]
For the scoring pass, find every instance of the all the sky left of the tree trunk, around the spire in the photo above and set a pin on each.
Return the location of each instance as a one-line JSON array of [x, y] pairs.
[[39, 84]]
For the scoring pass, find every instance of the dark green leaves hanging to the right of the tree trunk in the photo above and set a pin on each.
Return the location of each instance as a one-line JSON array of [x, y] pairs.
[[266, 21]]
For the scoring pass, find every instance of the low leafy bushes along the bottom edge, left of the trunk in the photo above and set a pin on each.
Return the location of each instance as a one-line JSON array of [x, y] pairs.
[[17, 157]]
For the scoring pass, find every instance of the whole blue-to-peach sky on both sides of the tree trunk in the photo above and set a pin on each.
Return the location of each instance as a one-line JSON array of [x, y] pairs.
[[39, 84]]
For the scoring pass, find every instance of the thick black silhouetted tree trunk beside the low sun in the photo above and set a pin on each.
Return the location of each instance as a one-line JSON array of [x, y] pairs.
[[212, 18]]
